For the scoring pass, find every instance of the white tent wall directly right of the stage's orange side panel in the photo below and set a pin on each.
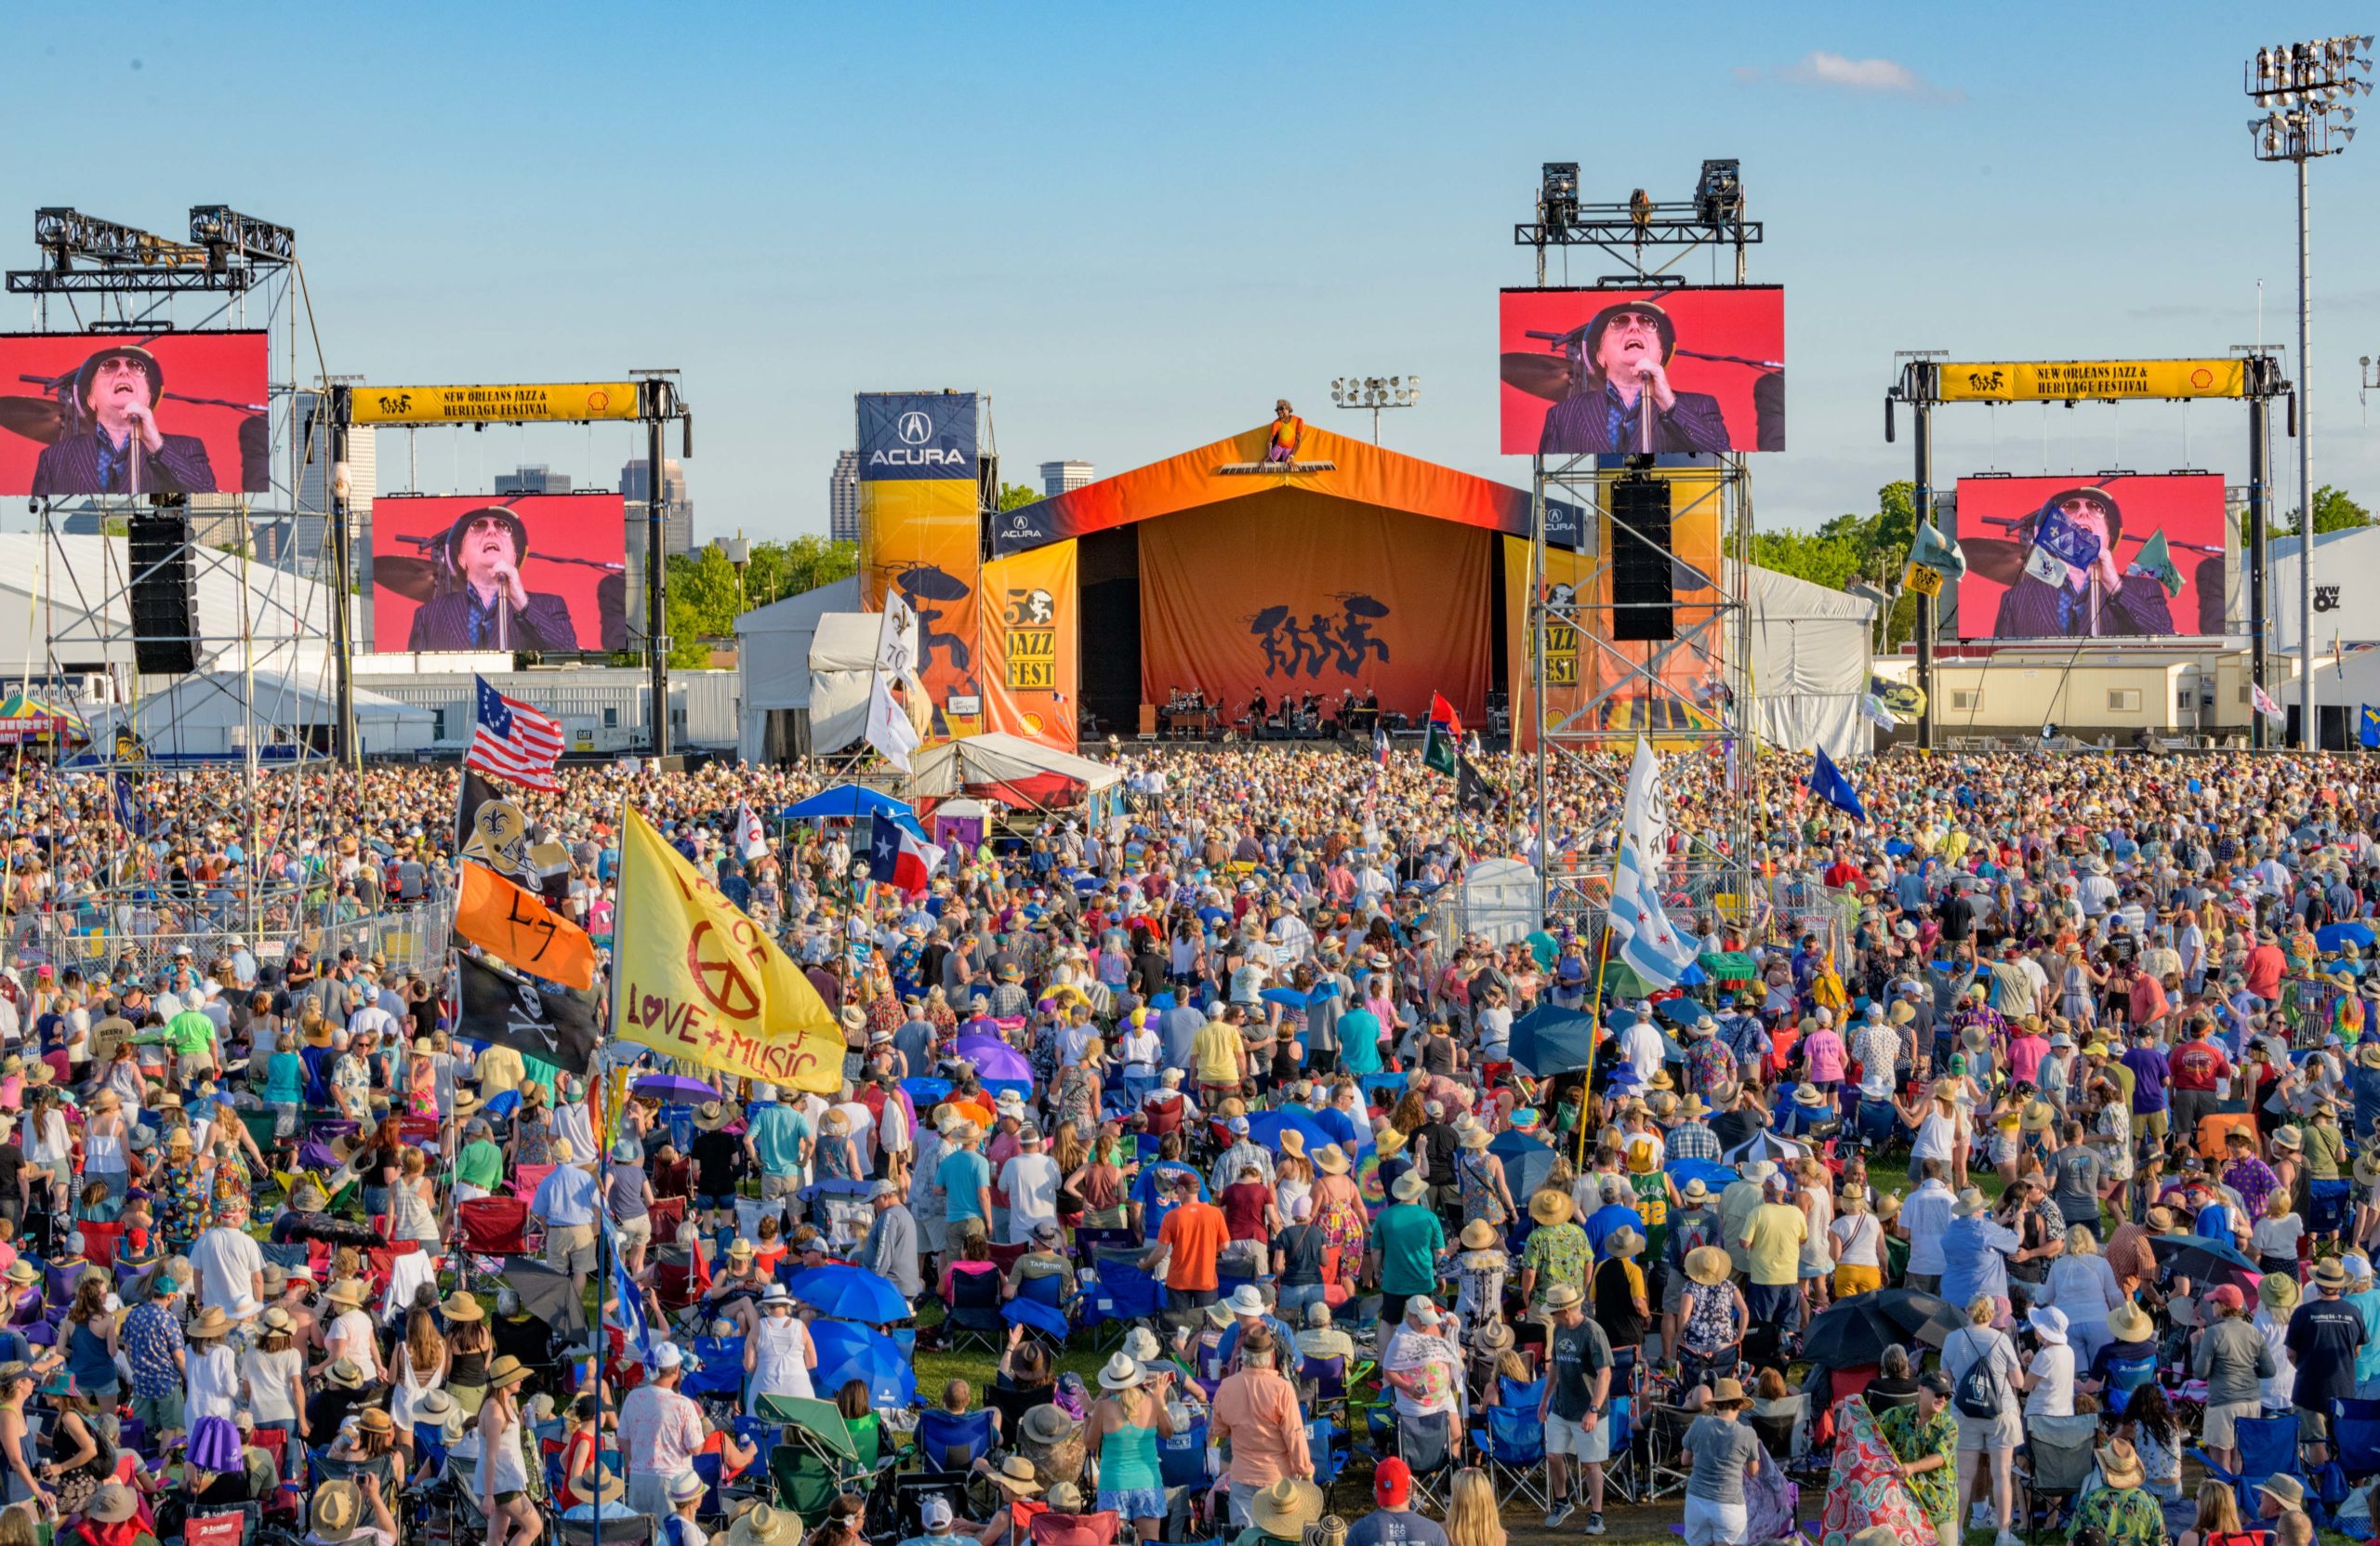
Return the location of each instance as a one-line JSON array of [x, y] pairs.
[[1810, 667]]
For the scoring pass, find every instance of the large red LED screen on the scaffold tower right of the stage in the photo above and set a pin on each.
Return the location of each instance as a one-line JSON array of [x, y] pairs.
[[1681, 370]]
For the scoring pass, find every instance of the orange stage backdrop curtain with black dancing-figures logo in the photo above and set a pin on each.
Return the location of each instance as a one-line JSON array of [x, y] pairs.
[[1303, 593]]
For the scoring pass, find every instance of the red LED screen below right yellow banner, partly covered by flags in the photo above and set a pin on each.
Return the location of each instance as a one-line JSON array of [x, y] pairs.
[[2091, 558]]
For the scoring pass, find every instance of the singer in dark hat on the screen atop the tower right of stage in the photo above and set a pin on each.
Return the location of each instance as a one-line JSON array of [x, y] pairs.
[[1622, 398]]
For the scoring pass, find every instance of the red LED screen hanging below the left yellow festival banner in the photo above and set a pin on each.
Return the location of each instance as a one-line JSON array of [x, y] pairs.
[[518, 572]]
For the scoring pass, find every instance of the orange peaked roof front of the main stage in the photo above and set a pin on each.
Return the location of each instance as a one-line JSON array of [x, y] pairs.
[[1327, 465]]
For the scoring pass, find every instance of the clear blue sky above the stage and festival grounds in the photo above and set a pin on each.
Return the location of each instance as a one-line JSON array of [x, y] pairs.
[[1134, 227]]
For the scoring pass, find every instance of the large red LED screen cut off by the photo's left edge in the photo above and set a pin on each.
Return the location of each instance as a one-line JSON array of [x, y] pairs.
[[134, 415]]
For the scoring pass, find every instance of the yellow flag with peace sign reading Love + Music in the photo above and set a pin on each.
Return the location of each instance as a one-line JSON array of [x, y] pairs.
[[696, 979]]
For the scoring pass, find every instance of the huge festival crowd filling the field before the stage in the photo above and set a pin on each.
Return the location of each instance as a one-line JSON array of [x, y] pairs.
[[2041, 1095]]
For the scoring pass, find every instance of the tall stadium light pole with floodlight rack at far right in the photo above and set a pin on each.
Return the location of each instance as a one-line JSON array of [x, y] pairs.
[[2300, 92]]
